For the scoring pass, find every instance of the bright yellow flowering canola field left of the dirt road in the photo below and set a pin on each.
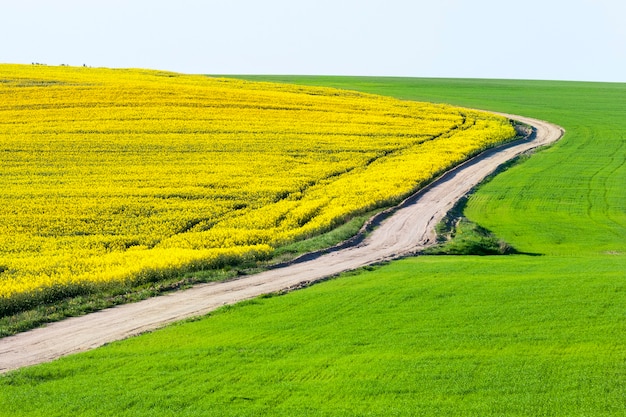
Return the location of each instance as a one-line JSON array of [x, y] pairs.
[[131, 175]]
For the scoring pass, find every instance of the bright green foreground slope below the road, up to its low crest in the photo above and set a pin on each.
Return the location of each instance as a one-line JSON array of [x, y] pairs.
[[426, 336]]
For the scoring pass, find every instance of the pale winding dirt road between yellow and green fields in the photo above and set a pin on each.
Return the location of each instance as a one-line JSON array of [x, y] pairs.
[[407, 230]]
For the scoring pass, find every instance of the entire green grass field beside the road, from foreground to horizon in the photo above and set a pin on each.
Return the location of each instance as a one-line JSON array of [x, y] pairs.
[[430, 336]]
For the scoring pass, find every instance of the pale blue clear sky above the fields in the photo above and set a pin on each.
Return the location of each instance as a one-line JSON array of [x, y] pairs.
[[532, 39]]
